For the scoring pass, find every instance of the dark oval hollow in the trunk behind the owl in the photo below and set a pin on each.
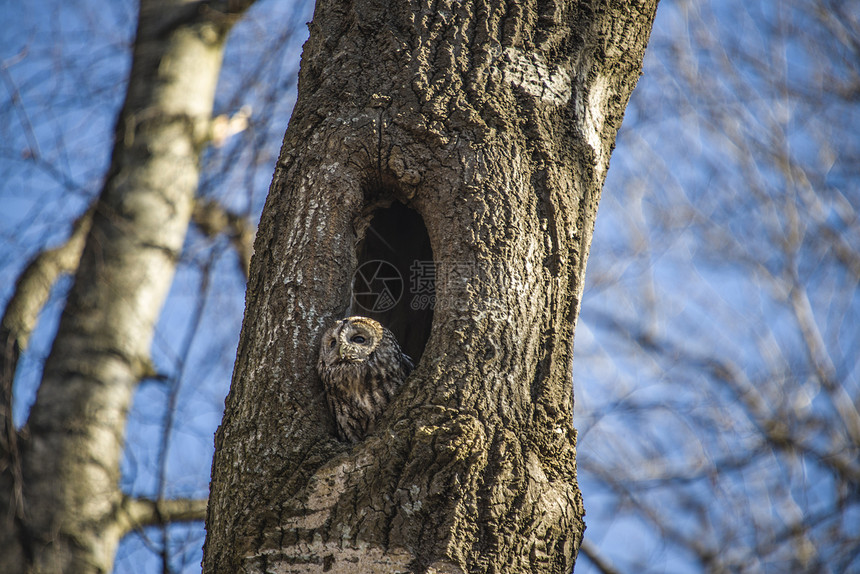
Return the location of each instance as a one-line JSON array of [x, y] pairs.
[[395, 279]]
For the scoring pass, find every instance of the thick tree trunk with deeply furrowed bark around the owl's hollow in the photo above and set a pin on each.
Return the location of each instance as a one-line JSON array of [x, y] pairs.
[[493, 122]]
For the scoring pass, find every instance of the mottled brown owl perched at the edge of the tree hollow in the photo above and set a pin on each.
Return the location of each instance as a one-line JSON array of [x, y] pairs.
[[361, 367]]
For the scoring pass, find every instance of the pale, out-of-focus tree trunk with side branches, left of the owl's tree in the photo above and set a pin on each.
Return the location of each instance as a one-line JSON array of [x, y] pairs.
[[62, 509]]
